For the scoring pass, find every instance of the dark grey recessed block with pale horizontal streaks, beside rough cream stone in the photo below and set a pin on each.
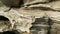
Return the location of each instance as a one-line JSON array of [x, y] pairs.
[[39, 26]]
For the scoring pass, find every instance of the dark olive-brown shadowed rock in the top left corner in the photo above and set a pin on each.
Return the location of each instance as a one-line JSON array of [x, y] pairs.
[[12, 3]]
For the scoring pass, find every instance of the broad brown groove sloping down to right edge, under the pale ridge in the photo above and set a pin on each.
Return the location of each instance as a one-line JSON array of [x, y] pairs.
[[43, 8]]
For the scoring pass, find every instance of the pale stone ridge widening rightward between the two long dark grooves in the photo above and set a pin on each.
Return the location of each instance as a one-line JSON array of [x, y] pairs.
[[46, 6]]
